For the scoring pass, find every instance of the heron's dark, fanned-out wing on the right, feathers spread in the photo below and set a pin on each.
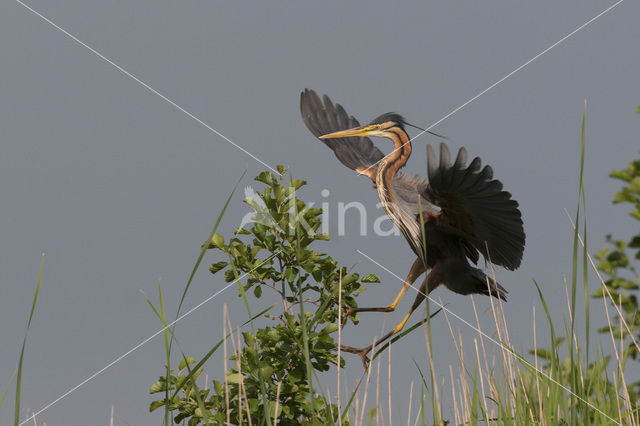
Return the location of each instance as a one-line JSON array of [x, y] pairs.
[[473, 202]]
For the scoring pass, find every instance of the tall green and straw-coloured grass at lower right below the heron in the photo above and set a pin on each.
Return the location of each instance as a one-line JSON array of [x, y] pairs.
[[502, 387]]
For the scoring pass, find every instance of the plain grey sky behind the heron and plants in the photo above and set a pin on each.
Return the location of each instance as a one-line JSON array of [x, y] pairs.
[[120, 188]]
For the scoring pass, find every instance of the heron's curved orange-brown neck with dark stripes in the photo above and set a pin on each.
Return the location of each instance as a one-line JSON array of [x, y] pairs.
[[390, 165]]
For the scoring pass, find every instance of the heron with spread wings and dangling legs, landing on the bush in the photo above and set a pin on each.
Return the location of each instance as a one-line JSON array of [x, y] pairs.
[[449, 221]]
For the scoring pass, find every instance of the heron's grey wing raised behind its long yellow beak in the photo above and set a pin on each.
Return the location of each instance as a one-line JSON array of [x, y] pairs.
[[357, 153]]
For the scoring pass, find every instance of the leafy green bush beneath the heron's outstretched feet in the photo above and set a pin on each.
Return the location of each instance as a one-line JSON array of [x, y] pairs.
[[276, 364]]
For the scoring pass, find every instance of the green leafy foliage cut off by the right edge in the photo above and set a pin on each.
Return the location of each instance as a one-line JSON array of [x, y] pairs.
[[617, 261]]
